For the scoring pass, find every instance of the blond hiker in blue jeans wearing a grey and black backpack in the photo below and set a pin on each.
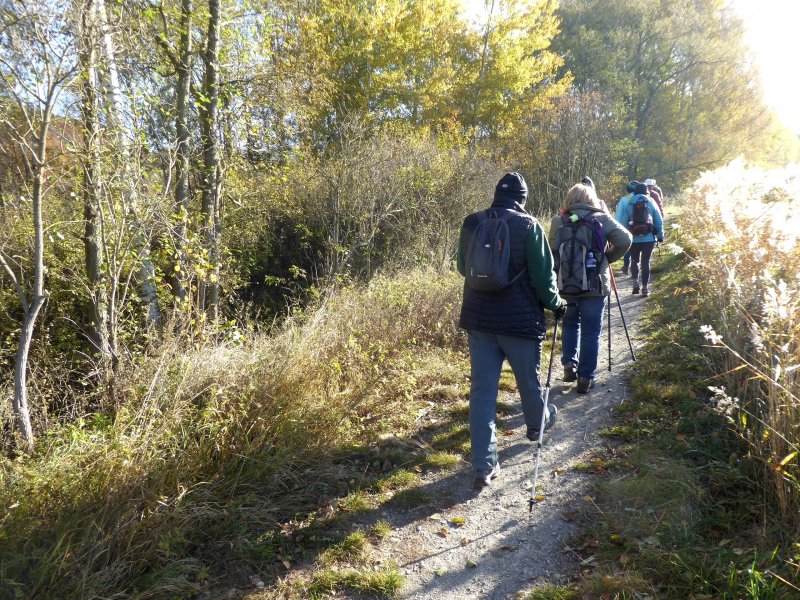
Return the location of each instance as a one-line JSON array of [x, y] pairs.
[[583, 321]]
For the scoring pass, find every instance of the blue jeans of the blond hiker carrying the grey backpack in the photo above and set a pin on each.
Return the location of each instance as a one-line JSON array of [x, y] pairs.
[[584, 322]]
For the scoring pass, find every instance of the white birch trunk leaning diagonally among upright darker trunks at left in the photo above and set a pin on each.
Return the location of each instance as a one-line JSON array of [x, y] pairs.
[[117, 114]]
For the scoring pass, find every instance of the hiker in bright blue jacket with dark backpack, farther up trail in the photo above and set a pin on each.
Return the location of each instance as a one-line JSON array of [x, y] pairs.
[[643, 219]]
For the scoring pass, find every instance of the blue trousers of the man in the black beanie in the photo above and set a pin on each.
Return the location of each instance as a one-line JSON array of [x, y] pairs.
[[486, 354]]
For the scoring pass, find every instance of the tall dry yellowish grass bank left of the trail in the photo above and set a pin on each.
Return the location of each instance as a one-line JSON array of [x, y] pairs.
[[210, 450]]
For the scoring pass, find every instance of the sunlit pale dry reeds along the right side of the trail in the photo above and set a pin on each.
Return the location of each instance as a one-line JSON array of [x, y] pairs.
[[742, 225]]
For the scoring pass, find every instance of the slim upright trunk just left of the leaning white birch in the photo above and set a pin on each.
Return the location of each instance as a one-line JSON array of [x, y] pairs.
[[95, 268]]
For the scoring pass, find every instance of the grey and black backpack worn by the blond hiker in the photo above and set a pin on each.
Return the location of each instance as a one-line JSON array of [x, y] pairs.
[[580, 251]]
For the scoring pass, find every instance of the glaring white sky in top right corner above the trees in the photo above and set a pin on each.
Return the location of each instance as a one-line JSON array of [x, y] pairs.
[[773, 34]]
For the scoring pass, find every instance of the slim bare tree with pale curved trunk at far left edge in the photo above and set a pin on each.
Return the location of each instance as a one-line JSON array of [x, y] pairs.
[[37, 64]]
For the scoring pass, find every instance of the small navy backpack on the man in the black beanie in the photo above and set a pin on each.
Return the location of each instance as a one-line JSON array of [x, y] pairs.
[[488, 255]]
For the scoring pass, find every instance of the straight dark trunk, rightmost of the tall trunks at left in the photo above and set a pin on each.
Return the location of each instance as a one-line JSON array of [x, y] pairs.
[[210, 126]]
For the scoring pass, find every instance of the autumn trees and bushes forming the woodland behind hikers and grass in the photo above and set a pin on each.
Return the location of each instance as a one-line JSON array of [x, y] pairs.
[[192, 175]]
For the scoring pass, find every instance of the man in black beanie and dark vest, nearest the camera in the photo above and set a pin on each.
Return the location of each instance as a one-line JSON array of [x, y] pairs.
[[506, 324]]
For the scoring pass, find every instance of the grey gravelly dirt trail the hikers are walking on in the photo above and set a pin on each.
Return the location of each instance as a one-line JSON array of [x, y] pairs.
[[501, 548]]
